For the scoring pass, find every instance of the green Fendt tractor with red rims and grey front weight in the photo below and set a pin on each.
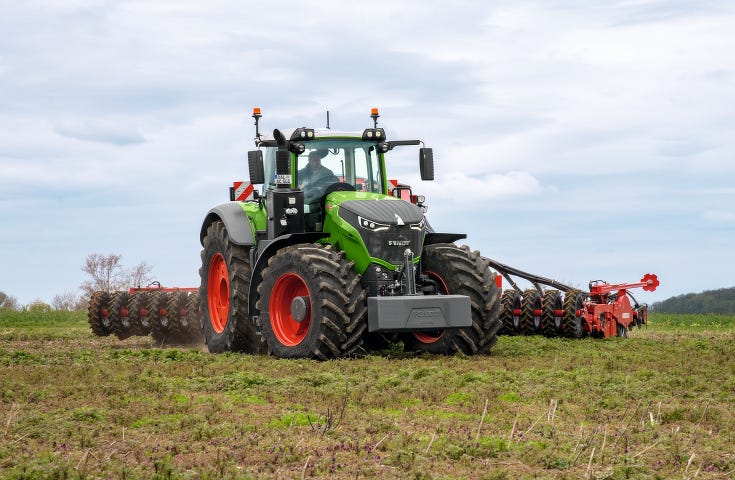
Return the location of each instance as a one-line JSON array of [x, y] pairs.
[[328, 258]]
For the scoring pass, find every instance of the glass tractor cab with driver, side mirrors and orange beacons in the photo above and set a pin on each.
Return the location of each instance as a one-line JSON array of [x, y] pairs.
[[306, 165]]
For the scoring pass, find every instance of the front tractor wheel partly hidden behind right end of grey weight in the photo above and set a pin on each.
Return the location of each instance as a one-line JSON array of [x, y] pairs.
[[459, 271]]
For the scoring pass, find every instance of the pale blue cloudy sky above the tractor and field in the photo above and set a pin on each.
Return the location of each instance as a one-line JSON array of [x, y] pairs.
[[573, 139]]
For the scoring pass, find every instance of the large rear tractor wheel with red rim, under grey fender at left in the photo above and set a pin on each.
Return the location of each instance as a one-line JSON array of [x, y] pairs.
[[225, 278]]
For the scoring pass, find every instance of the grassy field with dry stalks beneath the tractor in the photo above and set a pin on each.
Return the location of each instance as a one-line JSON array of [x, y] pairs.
[[660, 404]]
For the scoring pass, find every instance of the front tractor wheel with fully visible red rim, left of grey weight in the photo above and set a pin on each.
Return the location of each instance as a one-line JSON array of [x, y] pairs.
[[311, 303]]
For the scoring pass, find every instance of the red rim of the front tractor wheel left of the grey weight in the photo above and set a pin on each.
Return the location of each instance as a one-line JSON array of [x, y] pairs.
[[287, 330]]
